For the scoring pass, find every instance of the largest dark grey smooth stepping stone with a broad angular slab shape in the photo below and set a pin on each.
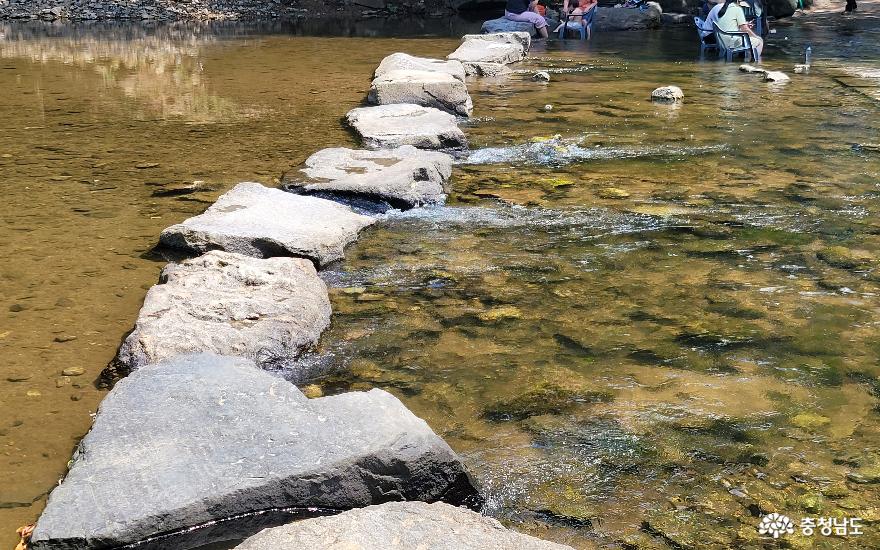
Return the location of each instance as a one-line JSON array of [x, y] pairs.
[[201, 438]]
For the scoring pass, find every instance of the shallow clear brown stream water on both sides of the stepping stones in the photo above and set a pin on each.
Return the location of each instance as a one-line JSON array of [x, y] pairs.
[[639, 324]]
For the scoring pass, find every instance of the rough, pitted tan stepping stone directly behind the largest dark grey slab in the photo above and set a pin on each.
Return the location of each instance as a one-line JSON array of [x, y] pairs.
[[264, 310]]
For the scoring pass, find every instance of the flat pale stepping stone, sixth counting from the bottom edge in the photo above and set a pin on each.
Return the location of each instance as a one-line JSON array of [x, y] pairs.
[[406, 124]]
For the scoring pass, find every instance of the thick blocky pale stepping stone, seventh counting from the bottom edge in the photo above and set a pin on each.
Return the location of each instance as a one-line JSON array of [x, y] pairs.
[[430, 88]]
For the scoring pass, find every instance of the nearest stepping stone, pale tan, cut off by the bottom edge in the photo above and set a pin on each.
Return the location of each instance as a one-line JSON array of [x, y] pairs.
[[398, 525]]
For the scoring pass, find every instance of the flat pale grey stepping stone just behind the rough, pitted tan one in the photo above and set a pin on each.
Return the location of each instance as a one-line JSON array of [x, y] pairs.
[[258, 221]]
